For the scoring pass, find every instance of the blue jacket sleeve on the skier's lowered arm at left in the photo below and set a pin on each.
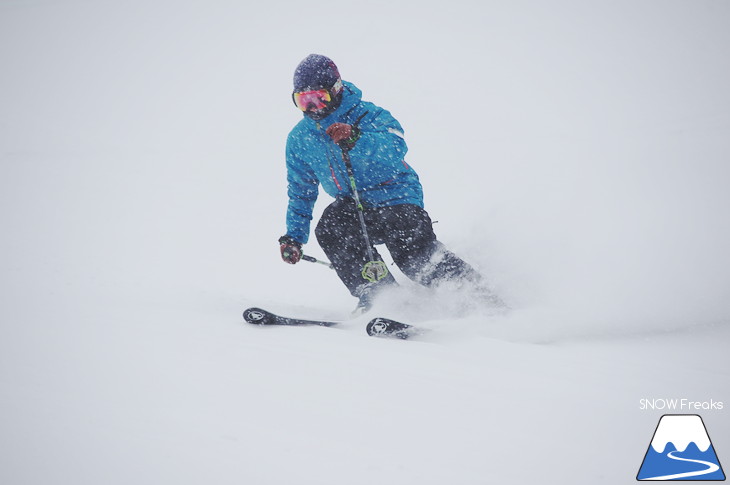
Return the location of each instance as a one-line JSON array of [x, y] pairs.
[[303, 188]]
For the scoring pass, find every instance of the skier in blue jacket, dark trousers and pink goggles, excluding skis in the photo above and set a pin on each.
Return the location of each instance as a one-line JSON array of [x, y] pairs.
[[356, 150]]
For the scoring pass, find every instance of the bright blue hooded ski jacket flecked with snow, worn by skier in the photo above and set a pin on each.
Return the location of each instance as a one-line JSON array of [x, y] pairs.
[[382, 176]]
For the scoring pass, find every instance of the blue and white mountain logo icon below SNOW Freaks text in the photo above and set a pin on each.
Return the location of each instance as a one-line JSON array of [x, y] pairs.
[[681, 450]]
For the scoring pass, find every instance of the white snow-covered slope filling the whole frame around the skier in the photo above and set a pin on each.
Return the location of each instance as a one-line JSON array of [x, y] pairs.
[[580, 163]]
